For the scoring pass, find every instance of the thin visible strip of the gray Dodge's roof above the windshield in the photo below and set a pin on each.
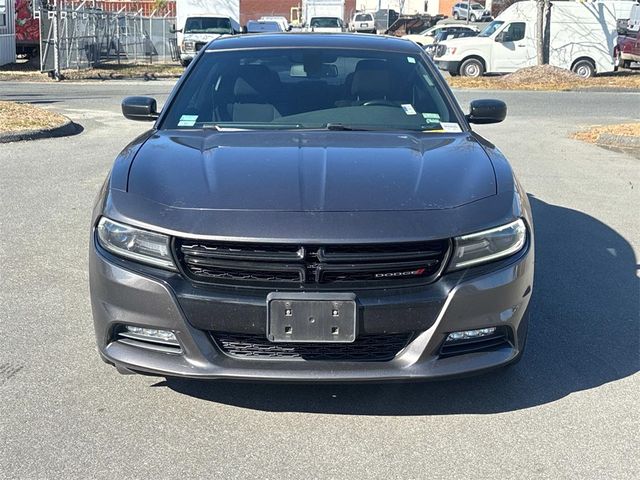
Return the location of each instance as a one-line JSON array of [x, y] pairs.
[[308, 39]]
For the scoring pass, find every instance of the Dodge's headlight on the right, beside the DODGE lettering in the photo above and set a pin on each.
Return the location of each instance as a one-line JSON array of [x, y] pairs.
[[489, 245]]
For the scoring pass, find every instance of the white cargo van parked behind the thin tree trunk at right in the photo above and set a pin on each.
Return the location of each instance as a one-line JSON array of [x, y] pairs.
[[582, 39]]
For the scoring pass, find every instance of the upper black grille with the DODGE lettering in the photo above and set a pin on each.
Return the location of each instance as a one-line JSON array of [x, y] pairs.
[[285, 265]]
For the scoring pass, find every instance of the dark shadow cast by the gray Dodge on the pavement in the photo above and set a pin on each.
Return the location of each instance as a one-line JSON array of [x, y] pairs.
[[584, 332]]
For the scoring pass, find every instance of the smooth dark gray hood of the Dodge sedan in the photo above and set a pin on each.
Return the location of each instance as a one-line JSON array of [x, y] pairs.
[[311, 171]]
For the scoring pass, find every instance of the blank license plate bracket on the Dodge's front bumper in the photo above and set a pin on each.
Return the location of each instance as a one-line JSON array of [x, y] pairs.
[[300, 317]]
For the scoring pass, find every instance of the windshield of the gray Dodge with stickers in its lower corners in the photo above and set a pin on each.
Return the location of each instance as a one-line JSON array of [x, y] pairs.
[[310, 88]]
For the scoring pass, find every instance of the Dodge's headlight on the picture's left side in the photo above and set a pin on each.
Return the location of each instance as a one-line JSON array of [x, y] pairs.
[[139, 245]]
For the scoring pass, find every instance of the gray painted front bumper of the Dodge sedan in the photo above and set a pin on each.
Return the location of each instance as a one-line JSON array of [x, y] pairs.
[[158, 299]]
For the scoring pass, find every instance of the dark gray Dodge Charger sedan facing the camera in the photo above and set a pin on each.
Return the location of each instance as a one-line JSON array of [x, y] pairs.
[[311, 207]]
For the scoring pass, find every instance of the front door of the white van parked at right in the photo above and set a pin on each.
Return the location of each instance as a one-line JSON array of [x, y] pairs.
[[514, 48]]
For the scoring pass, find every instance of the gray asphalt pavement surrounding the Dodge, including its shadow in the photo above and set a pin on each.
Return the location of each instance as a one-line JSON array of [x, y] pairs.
[[569, 409]]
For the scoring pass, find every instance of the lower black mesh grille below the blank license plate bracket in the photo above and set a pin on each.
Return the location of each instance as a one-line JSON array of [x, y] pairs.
[[366, 348]]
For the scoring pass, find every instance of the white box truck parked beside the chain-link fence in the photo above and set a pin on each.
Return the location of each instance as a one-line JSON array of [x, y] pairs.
[[200, 21]]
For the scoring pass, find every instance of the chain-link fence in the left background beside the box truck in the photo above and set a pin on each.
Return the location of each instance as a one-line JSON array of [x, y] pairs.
[[81, 37]]
